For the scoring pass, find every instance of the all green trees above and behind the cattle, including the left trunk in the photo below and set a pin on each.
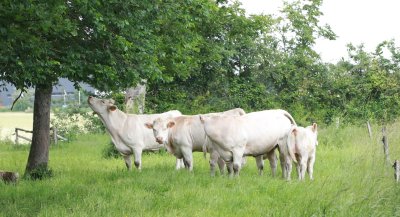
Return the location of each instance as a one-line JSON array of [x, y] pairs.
[[196, 55]]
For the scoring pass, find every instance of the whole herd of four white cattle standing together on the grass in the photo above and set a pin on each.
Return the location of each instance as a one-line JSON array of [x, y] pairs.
[[227, 136]]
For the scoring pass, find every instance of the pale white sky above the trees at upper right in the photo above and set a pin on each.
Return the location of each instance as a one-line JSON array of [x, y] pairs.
[[367, 22]]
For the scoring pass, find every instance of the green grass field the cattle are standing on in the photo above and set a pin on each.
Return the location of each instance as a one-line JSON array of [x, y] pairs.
[[351, 179]]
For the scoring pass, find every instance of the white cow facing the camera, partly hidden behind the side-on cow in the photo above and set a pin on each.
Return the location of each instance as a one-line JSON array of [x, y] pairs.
[[185, 134]]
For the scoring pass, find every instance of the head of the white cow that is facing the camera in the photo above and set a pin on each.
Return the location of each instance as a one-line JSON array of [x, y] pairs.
[[160, 128]]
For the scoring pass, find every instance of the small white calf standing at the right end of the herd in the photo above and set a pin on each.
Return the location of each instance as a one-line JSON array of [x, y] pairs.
[[302, 143]]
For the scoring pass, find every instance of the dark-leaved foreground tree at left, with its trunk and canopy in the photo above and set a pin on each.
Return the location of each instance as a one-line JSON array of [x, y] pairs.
[[110, 45]]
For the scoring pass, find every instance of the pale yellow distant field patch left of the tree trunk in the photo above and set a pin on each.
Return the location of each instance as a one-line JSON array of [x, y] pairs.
[[10, 120]]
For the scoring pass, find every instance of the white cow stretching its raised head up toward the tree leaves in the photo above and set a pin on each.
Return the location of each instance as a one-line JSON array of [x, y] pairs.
[[127, 131]]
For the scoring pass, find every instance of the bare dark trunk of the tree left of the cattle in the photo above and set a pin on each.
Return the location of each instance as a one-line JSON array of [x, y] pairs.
[[39, 152]]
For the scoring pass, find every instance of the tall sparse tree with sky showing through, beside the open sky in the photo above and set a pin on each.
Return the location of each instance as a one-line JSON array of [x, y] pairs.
[[290, 68]]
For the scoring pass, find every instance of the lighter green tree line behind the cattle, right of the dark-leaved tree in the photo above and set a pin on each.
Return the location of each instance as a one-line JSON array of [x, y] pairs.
[[264, 61]]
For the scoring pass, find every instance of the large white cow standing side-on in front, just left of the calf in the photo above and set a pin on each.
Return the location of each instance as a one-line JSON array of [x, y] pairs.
[[253, 134]]
